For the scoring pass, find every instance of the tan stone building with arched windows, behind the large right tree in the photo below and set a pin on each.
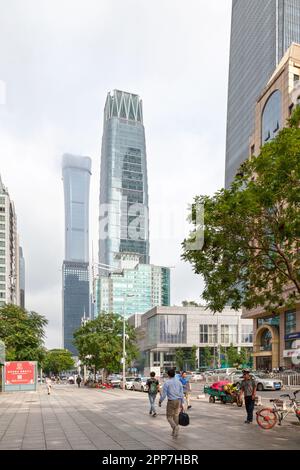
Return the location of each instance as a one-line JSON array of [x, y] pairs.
[[277, 336]]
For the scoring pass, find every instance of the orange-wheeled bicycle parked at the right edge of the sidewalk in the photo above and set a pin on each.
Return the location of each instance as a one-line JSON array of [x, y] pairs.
[[267, 417]]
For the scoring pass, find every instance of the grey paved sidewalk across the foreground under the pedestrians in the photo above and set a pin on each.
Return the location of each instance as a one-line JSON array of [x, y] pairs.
[[72, 418]]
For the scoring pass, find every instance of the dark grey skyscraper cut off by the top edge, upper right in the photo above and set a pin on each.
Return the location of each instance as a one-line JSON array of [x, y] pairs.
[[261, 32]]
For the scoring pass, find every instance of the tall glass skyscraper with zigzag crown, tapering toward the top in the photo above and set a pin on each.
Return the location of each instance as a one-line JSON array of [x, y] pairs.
[[123, 220]]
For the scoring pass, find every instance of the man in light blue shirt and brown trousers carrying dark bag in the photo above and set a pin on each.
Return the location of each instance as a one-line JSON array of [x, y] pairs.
[[173, 390]]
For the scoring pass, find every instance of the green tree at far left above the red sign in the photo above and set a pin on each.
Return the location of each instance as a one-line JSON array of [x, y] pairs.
[[23, 334]]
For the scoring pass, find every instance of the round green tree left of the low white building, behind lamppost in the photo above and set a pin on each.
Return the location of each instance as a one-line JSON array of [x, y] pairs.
[[100, 343]]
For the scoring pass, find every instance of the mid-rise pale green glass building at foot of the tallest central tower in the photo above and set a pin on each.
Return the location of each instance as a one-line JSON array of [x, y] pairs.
[[133, 288]]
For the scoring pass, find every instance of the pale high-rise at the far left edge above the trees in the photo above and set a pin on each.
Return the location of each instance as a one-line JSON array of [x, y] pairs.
[[9, 251]]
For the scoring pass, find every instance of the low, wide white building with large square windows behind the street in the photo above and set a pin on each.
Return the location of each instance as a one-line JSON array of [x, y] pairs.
[[162, 330]]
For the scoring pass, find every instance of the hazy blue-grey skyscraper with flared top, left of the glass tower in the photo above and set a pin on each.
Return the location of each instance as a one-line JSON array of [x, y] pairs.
[[76, 296]]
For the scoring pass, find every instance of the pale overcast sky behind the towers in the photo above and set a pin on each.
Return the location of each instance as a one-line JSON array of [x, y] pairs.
[[58, 59]]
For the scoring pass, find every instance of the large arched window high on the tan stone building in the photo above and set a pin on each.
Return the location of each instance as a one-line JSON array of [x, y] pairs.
[[271, 117]]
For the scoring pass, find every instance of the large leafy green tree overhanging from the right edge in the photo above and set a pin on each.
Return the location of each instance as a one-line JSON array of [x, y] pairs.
[[252, 231]]
